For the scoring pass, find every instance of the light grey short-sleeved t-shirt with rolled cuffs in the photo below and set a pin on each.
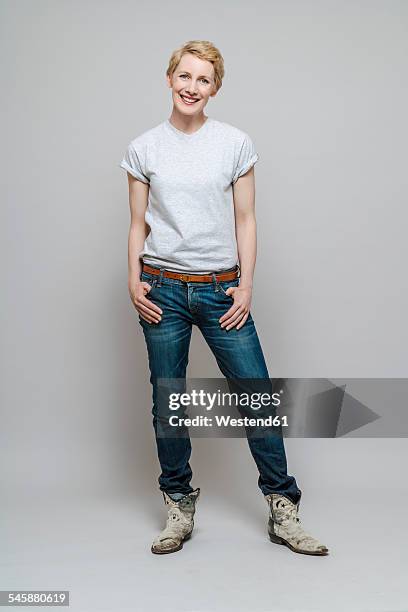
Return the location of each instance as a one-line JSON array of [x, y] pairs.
[[190, 210]]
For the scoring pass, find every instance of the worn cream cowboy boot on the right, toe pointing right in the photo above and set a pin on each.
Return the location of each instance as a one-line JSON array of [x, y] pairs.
[[285, 527]]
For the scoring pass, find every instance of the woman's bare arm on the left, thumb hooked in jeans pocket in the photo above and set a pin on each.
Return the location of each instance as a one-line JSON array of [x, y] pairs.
[[139, 230]]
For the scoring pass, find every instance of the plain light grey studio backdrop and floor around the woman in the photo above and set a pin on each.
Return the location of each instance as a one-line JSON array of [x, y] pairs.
[[321, 88]]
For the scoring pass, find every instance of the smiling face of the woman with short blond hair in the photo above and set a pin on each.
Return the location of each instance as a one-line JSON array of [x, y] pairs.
[[192, 84]]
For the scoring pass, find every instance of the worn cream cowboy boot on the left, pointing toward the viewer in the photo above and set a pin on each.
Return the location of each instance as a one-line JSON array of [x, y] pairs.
[[179, 525]]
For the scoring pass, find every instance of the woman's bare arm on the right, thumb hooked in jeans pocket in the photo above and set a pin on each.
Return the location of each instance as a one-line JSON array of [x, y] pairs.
[[245, 228]]
